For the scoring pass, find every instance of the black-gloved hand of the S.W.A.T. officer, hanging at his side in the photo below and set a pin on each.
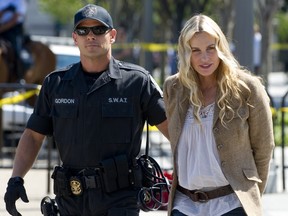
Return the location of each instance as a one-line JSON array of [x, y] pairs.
[[15, 189]]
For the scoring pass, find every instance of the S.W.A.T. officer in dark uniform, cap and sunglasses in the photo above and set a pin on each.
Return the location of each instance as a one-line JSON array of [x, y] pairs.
[[95, 110]]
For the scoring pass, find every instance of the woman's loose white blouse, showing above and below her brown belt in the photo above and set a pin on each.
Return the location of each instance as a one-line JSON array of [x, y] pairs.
[[199, 167]]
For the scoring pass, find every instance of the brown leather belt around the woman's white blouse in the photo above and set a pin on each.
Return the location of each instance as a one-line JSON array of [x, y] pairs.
[[205, 196]]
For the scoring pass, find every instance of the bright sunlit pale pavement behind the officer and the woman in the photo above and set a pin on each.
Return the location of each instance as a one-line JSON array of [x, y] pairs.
[[275, 202]]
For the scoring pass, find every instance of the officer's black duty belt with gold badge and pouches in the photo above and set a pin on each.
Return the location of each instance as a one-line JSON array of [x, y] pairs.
[[111, 175]]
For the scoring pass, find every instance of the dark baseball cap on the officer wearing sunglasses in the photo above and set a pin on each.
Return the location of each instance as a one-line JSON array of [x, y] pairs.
[[95, 12]]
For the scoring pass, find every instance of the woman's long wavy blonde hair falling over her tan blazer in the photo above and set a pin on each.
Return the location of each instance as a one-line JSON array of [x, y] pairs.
[[227, 81]]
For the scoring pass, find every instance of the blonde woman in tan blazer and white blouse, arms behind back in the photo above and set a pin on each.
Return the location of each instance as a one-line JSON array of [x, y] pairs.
[[220, 127]]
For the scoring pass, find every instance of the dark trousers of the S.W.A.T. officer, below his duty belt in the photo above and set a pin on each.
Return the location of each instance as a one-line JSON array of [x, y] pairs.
[[95, 202]]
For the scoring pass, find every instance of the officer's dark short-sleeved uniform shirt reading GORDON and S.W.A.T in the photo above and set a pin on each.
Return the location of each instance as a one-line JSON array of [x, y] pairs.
[[96, 123]]
